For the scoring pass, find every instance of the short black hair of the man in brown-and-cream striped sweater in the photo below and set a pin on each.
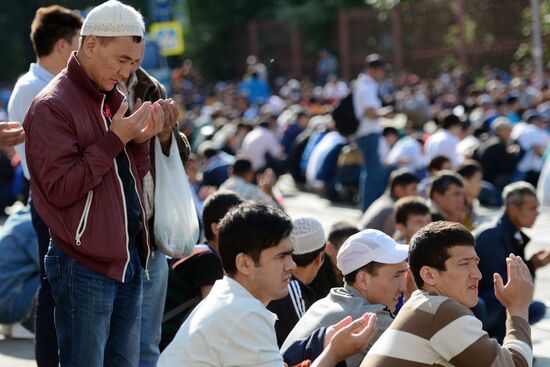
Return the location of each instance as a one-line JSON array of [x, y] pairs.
[[430, 246]]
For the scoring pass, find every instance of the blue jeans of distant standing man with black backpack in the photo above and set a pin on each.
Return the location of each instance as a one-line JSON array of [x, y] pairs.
[[373, 178]]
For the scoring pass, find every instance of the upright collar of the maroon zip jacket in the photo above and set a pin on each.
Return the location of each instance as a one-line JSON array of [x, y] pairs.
[[75, 72]]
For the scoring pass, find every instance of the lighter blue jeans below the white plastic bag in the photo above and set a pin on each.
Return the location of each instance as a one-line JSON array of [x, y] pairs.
[[152, 309]]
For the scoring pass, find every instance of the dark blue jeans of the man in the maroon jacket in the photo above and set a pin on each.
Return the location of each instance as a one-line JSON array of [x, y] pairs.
[[97, 319]]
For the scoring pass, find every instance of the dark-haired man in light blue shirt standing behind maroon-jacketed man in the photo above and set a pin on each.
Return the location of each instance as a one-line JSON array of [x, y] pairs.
[[54, 35]]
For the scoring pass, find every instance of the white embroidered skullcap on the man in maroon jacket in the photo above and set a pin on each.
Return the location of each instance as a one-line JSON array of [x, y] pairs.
[[113, 19]]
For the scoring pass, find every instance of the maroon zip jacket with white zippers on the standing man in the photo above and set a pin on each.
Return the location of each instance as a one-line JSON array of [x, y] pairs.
[[74, 178]]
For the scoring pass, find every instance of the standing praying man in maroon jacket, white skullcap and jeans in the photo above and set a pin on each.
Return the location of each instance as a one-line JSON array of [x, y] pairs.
[[87, 162]]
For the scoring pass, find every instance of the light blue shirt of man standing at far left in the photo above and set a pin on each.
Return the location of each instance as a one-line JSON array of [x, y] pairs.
[[24, 91]]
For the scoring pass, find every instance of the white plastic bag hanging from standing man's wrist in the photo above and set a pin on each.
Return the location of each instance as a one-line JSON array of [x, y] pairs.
[[176, 224]]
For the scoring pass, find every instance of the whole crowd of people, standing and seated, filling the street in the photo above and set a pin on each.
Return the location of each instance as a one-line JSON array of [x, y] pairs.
[[418, 280]]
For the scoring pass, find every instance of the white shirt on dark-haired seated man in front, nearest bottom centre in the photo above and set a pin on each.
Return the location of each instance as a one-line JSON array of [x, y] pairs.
[[228, 328]]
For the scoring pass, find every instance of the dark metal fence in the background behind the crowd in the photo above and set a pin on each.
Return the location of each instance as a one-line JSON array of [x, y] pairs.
[[420, 36]]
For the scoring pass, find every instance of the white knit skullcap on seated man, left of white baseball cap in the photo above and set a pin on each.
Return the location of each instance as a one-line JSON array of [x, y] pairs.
[[307, 235]]
